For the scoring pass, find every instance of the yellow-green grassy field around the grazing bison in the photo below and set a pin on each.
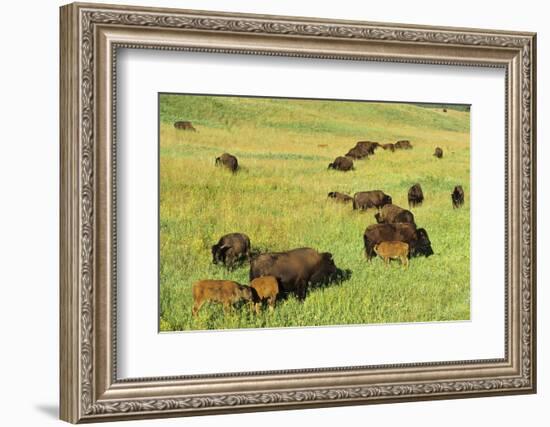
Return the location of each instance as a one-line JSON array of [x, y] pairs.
[[279, 199]]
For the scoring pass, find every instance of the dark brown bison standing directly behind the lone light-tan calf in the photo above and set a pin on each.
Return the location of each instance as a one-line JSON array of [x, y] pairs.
[[418, 240]]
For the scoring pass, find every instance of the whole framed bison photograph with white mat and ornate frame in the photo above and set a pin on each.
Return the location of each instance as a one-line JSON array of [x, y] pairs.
[[265, 212]]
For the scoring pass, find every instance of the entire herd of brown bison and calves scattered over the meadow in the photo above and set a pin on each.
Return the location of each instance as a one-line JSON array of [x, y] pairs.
[[273, 275]]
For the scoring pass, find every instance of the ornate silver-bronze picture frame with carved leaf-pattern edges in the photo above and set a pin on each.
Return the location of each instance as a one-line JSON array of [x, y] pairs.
[[90, 390]]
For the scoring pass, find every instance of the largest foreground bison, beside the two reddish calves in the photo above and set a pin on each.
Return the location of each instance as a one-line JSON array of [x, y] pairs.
[[295, 269]]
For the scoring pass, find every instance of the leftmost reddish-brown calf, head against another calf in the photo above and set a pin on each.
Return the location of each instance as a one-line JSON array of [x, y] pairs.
[[225, 292]]
